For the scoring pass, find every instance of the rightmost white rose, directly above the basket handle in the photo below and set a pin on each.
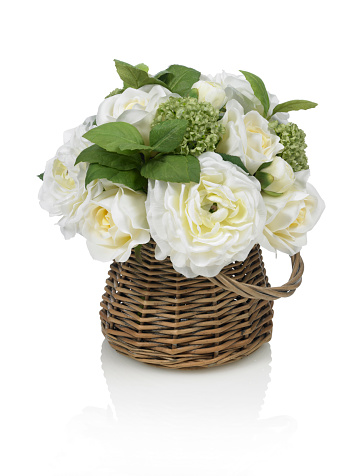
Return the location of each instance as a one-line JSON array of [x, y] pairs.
[[291, 215]]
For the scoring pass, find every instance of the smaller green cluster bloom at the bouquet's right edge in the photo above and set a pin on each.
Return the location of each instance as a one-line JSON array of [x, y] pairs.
[[292, 138]]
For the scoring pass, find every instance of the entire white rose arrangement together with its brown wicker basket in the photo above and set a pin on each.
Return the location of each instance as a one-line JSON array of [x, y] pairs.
[[179, 179]]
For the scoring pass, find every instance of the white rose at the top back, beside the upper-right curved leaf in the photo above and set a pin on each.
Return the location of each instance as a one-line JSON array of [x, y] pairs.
[[238, 88]]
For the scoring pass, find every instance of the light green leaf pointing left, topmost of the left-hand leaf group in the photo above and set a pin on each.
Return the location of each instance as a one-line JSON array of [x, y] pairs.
[[116, 136]]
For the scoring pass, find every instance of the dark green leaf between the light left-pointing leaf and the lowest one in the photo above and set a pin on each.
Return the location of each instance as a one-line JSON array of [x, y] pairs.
[[96, 155]]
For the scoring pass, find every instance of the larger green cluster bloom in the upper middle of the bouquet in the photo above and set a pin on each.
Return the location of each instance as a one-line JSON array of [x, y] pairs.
[[203, 132]]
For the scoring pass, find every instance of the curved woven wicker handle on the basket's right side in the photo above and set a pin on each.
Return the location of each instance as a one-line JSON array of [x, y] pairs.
[[264, 293]]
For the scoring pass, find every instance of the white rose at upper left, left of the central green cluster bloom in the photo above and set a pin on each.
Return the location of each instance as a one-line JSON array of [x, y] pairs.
[[135, 106]]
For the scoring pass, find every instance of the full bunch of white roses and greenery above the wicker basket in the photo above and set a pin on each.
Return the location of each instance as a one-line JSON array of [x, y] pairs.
[[206, 166]]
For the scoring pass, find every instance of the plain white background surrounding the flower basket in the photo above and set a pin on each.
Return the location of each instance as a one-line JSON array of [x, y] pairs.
[[70, 408]]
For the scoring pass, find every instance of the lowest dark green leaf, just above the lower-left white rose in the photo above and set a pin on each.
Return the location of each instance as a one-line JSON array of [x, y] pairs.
[[129, 178]]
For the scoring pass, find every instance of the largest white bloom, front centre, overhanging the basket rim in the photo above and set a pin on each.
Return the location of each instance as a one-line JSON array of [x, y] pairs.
[[205, 226]]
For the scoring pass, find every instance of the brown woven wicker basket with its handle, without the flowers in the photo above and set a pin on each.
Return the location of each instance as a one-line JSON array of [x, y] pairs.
[[155, 315]]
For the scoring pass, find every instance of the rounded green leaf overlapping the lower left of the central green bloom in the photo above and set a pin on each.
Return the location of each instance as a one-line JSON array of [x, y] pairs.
[[168, 135]]
